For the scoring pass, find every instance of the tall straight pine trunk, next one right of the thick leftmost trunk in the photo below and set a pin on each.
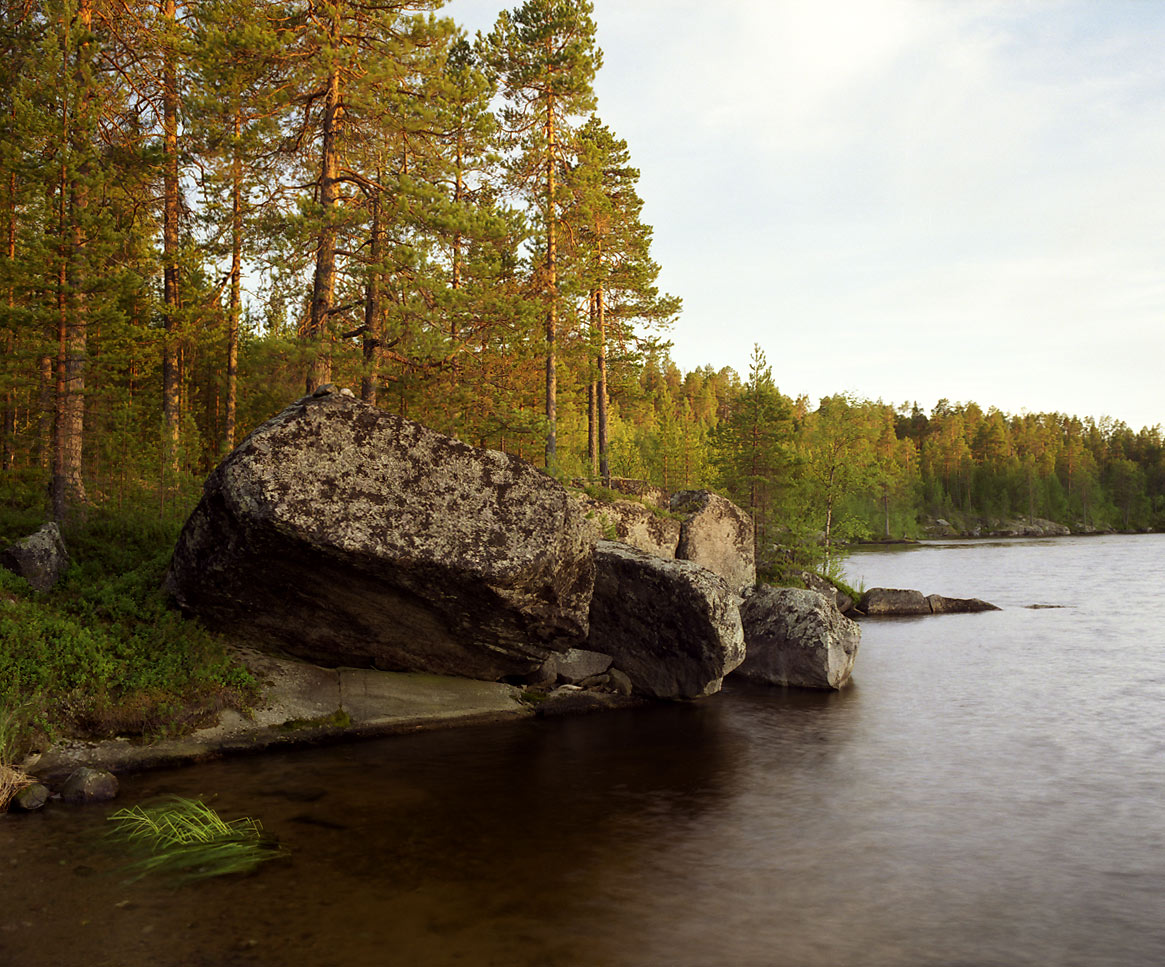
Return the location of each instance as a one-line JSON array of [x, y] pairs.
[[172, 403]]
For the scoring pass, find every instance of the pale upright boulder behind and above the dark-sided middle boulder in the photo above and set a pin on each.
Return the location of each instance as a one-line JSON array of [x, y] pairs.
[[717, 535]]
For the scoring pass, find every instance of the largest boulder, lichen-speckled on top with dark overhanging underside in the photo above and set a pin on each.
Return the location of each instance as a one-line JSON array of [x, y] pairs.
[[345, 535]]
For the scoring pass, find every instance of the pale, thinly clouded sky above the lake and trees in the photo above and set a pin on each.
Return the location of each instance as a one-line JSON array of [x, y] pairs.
[[903, 200]]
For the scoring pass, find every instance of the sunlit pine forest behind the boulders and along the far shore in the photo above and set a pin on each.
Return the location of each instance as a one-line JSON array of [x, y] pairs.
[[210, 209]]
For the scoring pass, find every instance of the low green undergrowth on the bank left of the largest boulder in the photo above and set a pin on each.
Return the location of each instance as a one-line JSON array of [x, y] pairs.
[[104, 654]]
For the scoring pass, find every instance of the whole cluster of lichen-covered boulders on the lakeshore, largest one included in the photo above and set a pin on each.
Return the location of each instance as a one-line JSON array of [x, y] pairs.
[[345, 535]]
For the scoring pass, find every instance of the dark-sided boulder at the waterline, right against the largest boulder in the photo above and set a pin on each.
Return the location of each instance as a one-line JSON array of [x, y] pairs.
[[672, 626]]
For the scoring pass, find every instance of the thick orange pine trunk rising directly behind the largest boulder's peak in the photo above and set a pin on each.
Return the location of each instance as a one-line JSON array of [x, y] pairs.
[[324, 284]]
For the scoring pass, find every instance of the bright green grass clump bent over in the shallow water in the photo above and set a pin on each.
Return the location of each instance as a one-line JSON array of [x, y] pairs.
[[188, 841]]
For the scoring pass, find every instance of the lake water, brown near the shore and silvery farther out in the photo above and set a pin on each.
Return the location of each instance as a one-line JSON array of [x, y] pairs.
[[992, 792]]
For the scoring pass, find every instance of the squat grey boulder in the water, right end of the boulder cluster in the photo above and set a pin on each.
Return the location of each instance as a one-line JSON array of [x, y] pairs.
[[797, 638]]
